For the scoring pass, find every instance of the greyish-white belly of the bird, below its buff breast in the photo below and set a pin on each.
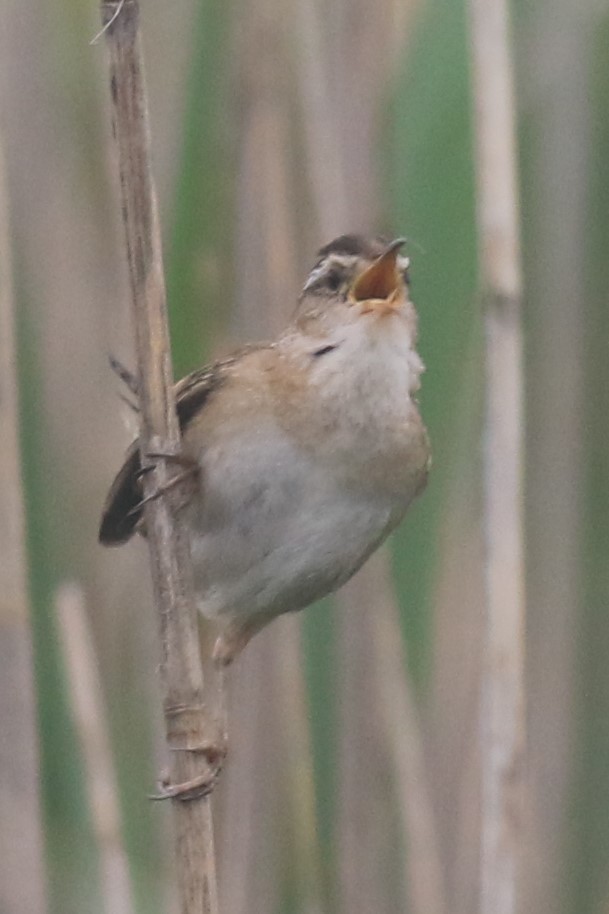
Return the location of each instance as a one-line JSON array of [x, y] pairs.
[[273, 532]]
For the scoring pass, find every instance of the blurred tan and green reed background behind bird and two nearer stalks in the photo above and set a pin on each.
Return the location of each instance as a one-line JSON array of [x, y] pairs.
[[353, 779]]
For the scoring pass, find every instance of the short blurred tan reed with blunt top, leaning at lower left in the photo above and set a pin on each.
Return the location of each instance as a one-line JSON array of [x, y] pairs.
[[85, 693]]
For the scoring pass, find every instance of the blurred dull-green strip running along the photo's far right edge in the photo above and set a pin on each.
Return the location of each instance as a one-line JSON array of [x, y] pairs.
[[585, 887]]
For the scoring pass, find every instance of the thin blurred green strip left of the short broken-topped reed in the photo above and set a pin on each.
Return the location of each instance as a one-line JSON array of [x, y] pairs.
[[70, 853]]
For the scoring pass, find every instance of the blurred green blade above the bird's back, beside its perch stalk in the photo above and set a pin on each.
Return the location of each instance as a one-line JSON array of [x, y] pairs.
[[199, 260]]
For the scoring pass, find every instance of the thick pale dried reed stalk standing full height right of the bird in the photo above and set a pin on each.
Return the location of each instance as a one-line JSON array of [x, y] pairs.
[[503, 724]]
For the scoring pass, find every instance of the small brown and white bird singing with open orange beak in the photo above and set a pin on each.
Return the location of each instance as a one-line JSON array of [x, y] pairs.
[[308, 449]]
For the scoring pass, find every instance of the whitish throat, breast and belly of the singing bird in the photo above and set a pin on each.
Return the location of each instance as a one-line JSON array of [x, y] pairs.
[[285, 518]]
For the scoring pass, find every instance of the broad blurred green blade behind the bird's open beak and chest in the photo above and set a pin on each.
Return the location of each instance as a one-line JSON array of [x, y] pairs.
[[430, 194]]
